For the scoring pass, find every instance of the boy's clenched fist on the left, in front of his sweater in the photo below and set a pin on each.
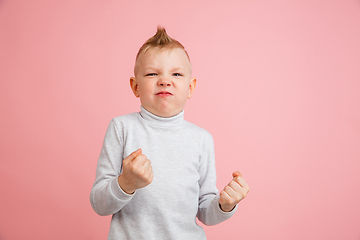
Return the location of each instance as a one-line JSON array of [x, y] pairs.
[[137, 172]]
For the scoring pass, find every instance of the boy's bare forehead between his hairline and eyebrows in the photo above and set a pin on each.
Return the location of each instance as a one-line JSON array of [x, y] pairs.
[[165, 57]]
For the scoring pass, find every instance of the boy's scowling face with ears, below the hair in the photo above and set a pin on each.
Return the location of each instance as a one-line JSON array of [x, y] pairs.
[[163, 81]]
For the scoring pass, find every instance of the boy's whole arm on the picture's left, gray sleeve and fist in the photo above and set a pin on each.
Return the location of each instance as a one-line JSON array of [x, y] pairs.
[[112, 190]]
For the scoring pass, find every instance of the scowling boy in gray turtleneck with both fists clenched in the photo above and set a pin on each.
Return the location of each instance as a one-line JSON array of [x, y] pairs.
[[156, 171]]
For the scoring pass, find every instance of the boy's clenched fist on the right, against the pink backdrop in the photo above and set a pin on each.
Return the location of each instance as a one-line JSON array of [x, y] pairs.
[[233, 193]]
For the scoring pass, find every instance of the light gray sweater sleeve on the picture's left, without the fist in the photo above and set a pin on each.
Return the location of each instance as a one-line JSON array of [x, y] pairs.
[[106, 196]]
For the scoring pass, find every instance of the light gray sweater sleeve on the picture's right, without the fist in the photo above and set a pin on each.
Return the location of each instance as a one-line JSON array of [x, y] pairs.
[[209, 211]]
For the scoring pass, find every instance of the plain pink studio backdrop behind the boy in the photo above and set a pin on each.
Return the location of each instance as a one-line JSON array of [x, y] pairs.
[[278, 87]]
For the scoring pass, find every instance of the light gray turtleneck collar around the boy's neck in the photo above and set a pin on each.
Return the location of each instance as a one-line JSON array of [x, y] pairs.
[[161, 121]]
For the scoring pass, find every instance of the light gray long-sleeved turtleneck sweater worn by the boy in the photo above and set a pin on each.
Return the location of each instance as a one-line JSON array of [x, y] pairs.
[[183, 187]]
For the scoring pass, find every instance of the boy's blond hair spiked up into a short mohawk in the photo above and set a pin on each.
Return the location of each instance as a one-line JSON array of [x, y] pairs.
[[161, 40]]
